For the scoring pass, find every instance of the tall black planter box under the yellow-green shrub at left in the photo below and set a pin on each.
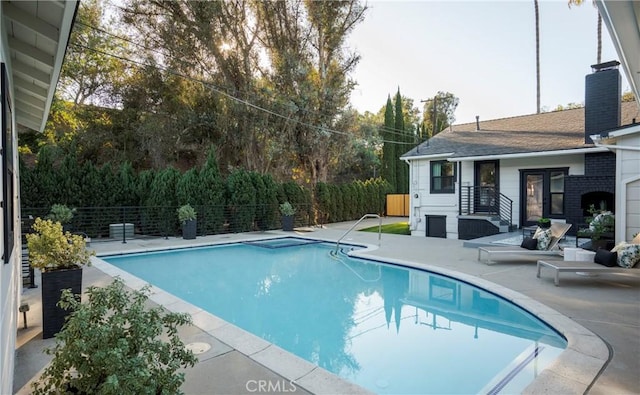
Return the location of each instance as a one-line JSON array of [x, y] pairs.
[[53, 283]]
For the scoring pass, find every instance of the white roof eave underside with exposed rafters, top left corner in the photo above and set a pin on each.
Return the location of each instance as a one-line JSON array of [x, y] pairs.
[[37, 35]]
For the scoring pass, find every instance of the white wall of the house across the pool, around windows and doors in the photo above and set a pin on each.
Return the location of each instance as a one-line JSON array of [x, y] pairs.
[[424, 203]]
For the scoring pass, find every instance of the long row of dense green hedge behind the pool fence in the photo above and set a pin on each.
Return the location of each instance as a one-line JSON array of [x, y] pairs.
[[242, 201]]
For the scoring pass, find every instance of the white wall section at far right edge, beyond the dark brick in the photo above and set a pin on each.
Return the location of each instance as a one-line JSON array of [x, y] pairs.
[[628, 188]]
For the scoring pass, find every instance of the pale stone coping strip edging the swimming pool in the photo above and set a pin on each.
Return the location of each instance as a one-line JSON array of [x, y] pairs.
[[573, 371]]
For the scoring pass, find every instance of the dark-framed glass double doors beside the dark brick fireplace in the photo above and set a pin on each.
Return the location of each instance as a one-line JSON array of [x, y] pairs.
[[542, 195]]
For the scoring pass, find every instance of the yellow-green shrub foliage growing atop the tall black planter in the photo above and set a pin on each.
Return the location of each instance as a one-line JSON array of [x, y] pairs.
[[51, 249]]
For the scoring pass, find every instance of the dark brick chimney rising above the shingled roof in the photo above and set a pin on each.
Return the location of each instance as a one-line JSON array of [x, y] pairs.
[[602, 99]]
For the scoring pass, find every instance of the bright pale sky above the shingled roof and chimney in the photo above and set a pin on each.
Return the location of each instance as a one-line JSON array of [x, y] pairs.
[[481, 51]]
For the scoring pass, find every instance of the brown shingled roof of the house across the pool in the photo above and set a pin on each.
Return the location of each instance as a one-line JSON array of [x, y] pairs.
[[549, 131]]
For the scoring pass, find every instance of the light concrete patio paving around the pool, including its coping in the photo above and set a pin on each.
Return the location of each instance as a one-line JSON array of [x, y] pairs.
[[599, 315]]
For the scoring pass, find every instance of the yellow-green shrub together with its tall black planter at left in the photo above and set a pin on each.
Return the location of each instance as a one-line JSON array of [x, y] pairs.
[[60, 256]]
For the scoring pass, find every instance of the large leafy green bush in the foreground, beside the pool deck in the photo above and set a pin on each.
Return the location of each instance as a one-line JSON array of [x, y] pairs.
[[114, 343]]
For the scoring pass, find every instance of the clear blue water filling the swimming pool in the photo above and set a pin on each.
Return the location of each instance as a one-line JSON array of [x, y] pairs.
[[388, 328]]
